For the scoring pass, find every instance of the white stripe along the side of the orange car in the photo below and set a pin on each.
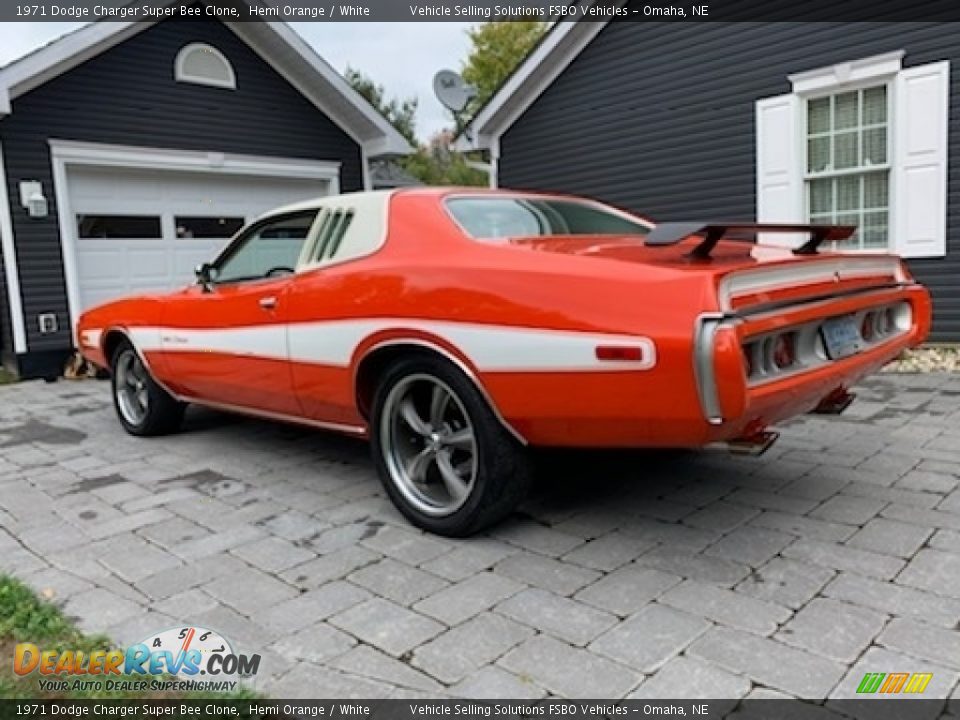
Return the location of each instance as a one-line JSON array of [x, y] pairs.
[[492, 348]]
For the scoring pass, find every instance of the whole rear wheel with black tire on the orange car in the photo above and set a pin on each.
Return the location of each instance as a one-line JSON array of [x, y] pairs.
[[444, 458]]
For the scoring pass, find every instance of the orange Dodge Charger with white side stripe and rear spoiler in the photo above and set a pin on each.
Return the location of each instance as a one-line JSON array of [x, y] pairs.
[[457, 326]]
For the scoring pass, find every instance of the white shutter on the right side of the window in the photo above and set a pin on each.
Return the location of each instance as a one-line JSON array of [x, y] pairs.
[[919, 192]]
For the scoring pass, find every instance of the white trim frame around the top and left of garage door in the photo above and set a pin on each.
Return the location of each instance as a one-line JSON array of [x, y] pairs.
[[65, 153]]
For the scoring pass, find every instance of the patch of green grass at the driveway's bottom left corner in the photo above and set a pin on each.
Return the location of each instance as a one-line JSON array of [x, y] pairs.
[[26, 618]]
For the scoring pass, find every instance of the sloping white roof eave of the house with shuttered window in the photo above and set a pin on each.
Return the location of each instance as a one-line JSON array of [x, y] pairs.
[[550, 57]]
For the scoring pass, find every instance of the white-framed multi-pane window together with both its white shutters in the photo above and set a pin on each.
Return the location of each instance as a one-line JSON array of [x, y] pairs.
[[859, 143]]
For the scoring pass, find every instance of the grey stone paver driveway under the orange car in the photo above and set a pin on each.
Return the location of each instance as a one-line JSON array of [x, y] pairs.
[[689, 574]]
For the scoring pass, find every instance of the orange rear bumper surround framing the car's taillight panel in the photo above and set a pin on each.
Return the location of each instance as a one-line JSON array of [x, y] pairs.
[[742, 409]]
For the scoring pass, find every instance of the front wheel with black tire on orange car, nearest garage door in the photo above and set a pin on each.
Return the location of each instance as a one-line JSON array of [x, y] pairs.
[[162, 414]]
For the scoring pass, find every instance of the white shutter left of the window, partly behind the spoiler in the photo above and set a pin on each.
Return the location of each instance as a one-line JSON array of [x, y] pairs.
[[779, 166]]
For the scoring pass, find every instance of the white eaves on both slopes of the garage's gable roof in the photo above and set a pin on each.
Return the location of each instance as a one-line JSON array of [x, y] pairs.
[[275, 42]]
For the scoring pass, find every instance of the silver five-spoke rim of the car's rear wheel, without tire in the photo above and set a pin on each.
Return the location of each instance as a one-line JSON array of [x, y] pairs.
[[429, 444]]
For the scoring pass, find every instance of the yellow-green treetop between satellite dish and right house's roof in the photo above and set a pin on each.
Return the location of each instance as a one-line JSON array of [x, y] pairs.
[[496, 49]]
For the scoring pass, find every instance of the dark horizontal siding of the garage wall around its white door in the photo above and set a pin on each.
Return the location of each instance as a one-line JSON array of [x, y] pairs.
[[127, 96]]
